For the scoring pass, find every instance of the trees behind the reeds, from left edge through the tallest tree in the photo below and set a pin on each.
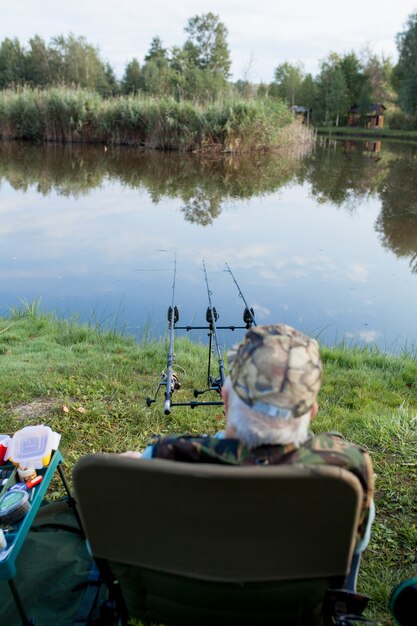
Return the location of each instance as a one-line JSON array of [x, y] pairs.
[[199, 69]]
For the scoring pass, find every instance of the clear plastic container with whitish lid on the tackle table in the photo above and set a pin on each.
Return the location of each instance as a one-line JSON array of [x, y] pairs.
[[32, 446]]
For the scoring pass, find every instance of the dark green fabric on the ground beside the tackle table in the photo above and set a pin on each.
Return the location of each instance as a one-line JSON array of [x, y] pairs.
[[53, 570]]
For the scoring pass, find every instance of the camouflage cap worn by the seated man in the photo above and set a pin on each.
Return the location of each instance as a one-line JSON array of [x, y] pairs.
[[276, 370]]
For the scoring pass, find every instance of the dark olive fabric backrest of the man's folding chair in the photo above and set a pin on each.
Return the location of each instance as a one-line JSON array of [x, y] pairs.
[[220, 524]]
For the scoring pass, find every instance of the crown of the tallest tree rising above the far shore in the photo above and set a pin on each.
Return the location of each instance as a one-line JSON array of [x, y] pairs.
[[207, 44]]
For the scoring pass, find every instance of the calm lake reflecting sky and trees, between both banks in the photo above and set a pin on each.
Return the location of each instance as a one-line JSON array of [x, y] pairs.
[[324, 240]]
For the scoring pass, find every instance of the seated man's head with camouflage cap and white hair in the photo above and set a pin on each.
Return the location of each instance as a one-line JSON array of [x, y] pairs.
[[275, 376]]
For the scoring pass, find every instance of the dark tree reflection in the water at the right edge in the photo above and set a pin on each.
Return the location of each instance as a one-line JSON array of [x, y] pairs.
[[347, 173]]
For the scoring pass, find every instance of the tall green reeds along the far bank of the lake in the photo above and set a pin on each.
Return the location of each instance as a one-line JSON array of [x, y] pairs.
[[77, 115]]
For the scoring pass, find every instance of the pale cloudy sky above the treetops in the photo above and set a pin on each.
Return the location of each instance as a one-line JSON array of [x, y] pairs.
[[261, 33]]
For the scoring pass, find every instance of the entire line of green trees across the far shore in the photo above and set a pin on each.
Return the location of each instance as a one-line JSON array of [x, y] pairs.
[[200, 70]]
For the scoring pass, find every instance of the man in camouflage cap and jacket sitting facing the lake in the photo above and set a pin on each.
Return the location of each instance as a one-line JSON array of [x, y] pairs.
[[270, 398]]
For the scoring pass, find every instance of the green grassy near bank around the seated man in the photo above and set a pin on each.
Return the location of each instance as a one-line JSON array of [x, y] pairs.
[[90, 385]]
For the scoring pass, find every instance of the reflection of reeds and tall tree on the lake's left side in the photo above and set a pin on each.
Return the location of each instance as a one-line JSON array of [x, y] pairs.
[[203, 184]]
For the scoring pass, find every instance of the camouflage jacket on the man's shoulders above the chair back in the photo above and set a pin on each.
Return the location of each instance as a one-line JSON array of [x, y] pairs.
[[326, 448]]
